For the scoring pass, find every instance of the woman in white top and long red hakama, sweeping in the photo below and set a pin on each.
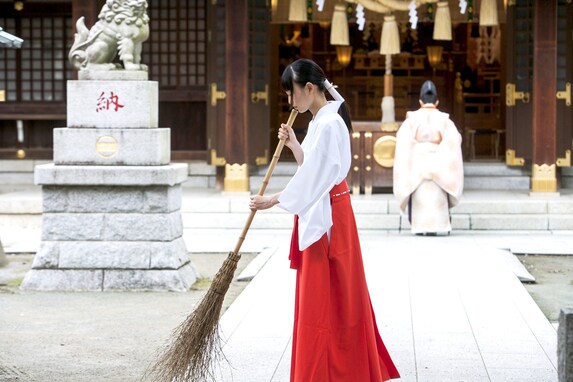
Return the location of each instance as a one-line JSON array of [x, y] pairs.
[[335, 338]]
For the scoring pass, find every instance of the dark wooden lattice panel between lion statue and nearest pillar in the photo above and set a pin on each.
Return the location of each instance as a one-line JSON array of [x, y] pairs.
[[176, 54]]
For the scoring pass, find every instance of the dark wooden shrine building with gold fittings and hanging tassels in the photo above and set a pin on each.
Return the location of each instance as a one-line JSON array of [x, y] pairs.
[[503, 70]]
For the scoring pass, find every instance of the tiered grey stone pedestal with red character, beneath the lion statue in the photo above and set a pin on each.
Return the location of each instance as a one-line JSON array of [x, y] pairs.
[[111, 199]]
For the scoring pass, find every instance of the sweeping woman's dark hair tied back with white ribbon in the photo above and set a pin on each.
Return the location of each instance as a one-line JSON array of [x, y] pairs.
[[304, 70]]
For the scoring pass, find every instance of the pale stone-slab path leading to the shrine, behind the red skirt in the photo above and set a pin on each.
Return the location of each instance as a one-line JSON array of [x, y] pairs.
[[449, 309]]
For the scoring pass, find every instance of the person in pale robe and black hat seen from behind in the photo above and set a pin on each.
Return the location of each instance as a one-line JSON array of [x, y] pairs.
[[428, 166]]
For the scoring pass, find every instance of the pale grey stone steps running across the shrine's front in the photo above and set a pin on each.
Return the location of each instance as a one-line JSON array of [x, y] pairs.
[[481, 208]]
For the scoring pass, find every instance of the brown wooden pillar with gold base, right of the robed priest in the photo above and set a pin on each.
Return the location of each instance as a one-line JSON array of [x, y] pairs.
[[544, 101]]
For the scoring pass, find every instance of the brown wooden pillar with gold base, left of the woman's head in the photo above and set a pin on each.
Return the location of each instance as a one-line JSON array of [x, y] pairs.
[[237, 86]]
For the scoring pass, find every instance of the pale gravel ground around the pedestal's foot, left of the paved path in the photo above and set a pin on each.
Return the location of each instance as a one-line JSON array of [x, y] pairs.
[[92, 336]]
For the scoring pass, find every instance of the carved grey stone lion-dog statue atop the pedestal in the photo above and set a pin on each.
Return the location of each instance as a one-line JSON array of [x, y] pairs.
[[122, 28]]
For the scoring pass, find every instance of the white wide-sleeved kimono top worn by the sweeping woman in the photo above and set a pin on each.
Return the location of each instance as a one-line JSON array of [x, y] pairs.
[[326, 163]]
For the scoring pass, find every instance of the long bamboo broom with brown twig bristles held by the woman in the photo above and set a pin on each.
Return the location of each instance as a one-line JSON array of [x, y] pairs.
[[196, 343]]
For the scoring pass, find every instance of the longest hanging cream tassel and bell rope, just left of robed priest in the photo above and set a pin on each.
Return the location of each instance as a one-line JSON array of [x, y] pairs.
[[389, 45]]
